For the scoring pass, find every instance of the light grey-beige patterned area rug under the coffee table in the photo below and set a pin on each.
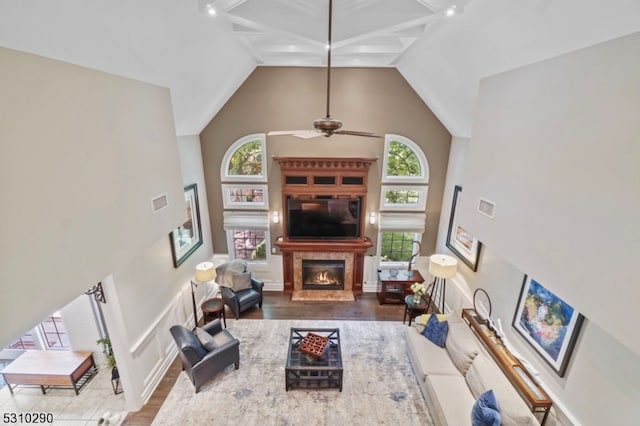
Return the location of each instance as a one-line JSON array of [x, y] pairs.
[[379, 386]]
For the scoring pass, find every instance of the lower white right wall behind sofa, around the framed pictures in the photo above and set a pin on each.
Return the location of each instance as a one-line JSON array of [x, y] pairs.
[[602, 383]]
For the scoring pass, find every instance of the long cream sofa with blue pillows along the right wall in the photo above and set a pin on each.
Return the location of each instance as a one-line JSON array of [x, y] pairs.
[[453, 378]]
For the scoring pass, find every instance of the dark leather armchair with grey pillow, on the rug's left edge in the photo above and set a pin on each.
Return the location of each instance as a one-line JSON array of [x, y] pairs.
[[202, 362]]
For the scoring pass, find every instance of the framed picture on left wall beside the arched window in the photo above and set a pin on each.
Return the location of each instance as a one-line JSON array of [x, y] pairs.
[[186, 238]]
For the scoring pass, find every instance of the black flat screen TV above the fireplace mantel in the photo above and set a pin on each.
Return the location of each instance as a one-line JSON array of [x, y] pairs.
[[331, 219]]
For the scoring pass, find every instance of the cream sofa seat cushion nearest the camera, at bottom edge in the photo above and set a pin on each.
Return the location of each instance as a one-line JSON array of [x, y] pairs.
[[449, 400]]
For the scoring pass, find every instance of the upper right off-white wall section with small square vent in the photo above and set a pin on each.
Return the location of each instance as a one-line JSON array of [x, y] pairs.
[[555, 146]]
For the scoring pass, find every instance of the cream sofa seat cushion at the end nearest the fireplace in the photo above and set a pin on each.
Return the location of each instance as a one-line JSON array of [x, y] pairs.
[[427, 357]]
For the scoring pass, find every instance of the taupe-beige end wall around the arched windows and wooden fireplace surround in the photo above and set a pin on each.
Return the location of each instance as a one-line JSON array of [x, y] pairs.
[[375, 100]]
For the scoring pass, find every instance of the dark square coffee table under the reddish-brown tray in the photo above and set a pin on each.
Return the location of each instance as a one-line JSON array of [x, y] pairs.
[[310, 372]]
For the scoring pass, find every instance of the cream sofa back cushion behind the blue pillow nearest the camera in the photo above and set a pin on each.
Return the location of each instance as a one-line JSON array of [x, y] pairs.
[[483, 375]]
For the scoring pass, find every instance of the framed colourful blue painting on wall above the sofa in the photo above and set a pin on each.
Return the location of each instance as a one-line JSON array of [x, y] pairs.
[[548, 323]]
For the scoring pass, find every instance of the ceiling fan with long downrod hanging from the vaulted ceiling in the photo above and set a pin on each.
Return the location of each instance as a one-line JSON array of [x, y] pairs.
[[328, 125]]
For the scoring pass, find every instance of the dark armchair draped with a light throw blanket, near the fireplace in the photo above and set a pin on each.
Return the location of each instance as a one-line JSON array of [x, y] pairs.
[[240, 291]]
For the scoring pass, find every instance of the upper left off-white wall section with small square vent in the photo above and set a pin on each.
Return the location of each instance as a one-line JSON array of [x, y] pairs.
[[81, 155]]
